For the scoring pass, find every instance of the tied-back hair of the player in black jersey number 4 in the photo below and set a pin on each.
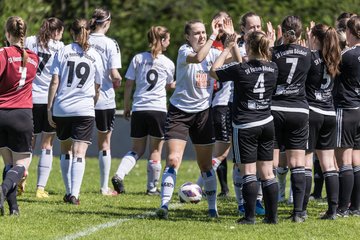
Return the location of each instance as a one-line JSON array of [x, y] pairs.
[[259, 44]]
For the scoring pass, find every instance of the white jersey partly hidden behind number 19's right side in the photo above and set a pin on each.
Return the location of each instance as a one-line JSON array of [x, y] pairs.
[[110, 53]]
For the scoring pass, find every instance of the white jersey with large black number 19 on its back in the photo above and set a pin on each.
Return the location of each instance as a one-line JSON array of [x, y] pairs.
[[78, 71]]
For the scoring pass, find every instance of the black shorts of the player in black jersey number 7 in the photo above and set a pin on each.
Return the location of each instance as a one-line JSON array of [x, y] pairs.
[[291, 130]]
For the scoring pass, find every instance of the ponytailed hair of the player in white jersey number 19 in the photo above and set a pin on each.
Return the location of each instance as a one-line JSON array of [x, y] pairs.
[[79, 29]]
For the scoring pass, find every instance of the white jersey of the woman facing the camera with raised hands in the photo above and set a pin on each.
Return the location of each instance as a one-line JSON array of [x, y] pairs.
[[194, 86]]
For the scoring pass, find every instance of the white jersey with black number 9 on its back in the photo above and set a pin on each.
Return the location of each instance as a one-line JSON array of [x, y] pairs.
[[150, 76]]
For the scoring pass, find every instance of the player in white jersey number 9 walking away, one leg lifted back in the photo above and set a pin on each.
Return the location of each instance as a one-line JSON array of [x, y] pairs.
[[153, 73]]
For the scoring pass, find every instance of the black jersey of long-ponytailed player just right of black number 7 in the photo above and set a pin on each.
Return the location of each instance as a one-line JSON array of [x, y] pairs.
[[319, 85]]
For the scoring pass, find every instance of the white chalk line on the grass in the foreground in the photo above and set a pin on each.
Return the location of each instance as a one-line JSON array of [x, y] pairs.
[[99, 227]]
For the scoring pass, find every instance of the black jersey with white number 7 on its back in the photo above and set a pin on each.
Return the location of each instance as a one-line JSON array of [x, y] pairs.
[[293, 62]]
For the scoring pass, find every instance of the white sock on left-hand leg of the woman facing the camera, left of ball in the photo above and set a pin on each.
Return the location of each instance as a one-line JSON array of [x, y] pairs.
[[167, 186]]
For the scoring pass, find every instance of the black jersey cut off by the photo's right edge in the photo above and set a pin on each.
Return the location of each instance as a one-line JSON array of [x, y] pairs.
[[347, 85]]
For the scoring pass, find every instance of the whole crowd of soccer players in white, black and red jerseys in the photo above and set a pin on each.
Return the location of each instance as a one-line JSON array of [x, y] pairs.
[[273, 98]]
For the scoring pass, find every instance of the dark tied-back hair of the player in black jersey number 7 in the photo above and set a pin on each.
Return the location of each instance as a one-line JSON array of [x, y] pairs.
[[291, 27]]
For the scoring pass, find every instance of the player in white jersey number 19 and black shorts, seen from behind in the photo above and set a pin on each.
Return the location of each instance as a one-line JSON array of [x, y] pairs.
[[74, 89]]
